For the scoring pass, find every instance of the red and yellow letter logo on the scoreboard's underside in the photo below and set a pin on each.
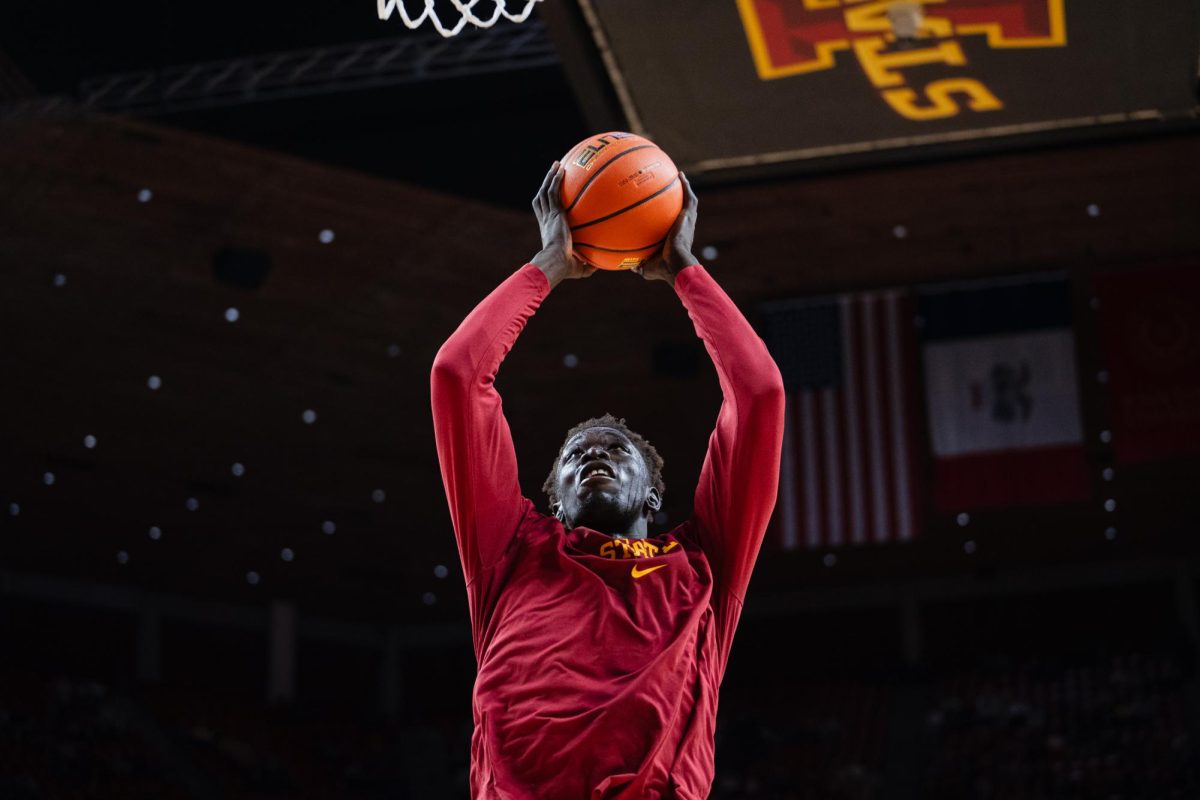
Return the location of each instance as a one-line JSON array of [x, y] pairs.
[[796, 38]]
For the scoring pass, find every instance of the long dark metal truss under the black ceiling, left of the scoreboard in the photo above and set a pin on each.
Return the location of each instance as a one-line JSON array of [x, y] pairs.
[[322, 70]]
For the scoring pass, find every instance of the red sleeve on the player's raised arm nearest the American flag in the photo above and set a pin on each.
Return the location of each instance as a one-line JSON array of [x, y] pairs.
[[740, 479]]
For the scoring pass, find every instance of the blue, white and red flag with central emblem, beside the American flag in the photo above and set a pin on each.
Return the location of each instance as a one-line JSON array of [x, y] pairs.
[[1001, 394]]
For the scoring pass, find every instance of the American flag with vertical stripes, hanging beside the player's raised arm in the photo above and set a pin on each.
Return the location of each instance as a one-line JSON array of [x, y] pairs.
[[850, 473]]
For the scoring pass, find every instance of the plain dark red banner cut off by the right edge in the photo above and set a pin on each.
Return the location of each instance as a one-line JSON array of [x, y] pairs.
[[1150, 326]]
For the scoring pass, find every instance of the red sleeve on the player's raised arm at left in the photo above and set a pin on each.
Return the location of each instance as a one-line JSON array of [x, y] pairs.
[[479, 465]]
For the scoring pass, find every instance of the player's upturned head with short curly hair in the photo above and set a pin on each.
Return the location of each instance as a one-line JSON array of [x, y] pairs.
[[603, 482]]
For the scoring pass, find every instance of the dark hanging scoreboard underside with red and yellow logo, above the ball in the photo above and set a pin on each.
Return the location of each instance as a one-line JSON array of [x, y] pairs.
[[743, 87]]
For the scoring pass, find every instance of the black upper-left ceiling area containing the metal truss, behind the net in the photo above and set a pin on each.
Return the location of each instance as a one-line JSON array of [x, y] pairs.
[[481, 116]]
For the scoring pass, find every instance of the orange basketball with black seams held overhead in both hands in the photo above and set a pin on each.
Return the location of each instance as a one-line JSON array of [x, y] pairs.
[[622, 195]]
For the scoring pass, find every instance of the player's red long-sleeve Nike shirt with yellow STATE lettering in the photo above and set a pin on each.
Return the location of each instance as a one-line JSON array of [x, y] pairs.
[[601, 658]]
